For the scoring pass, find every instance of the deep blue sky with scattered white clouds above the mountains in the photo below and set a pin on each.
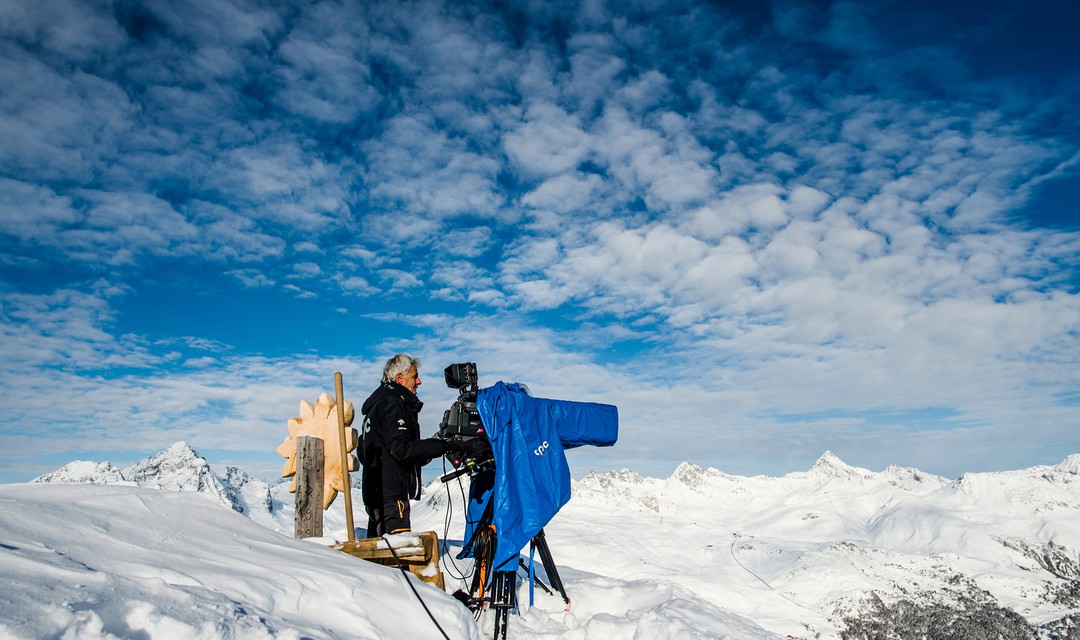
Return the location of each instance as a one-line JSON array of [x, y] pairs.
[[763, 230]]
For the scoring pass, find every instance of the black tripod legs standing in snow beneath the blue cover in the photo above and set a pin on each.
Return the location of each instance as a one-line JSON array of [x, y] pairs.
[[498, 590]]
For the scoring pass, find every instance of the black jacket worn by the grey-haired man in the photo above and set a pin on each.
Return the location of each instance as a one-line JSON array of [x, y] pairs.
[[395, 451]]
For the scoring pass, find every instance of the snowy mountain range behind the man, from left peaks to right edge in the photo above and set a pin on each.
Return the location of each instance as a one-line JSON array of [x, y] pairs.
[[833, 552]]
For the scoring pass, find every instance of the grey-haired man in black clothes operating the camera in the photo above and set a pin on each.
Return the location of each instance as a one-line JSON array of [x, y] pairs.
[[394, 451]]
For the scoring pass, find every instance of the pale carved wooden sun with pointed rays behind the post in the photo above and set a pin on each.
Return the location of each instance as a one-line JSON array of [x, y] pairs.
[[321, 421]]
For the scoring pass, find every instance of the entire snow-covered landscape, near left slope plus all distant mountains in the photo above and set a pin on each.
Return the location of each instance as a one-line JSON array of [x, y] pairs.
[[169, 550]]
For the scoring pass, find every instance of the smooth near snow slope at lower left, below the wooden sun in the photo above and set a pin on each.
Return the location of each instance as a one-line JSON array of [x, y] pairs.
[[91, 562]]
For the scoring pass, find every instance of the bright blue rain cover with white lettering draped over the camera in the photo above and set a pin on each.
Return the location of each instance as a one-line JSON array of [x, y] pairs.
[[532, 478]]
